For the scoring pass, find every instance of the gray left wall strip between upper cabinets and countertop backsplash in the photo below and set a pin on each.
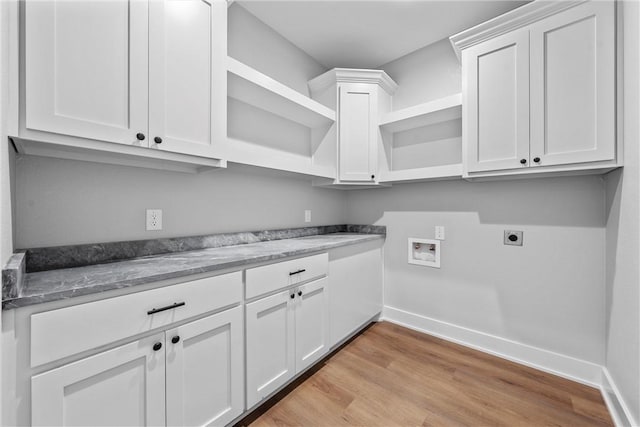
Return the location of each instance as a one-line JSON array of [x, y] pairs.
[[63, 202]]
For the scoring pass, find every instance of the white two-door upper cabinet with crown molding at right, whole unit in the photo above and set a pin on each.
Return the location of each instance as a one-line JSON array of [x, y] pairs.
[[539, 90]]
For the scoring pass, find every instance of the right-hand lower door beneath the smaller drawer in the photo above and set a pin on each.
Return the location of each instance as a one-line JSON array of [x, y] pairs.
[[312, 323]]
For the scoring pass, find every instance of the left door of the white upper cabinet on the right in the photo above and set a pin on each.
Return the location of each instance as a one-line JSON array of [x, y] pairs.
[[474, 104]]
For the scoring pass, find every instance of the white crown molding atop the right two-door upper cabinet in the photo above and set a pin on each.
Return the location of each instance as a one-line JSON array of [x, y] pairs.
[[509, 21]]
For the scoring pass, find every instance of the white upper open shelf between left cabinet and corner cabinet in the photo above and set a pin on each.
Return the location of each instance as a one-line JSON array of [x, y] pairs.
[[254, 88]]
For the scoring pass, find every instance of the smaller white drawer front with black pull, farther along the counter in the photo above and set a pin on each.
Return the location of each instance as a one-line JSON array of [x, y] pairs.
[[268, 278]]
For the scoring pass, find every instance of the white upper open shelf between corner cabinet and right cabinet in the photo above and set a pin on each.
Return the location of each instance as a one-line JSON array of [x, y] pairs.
[[440, 110]]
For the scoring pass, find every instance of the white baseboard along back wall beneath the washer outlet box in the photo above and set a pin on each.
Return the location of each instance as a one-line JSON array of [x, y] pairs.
[[558, 364]]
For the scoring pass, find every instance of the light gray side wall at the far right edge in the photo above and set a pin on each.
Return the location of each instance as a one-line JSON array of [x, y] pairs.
[[623, 233]]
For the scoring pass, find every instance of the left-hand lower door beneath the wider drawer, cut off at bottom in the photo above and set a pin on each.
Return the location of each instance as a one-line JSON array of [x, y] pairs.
[[120, 387]]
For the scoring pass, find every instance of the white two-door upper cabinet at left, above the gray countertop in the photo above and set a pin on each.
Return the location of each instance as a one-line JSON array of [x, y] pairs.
[[146, 74]]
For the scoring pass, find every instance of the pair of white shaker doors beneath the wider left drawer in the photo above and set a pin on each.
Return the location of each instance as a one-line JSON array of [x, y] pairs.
[[199, 364]]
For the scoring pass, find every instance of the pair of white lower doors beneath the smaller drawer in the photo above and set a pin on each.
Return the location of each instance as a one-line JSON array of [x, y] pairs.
[[286, 333]]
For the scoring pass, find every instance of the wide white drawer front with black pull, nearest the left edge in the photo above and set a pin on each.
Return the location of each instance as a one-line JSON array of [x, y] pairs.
[[60, 333]]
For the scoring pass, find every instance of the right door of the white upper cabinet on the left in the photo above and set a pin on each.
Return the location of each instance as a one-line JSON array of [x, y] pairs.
[[187, 57]]
